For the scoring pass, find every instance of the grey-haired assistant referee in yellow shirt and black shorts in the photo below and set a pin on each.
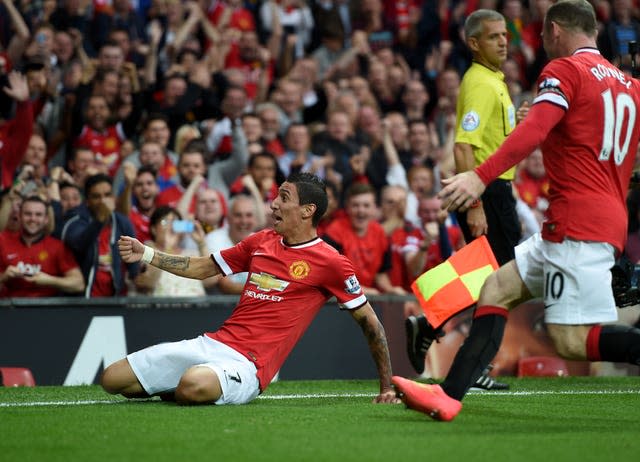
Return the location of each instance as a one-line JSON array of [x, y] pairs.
[[485, 116]]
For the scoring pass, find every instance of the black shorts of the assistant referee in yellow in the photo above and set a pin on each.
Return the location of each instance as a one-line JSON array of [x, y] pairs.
[[504, 229]]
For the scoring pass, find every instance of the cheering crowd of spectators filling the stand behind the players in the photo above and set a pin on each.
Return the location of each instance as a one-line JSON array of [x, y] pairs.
[[133, 116]]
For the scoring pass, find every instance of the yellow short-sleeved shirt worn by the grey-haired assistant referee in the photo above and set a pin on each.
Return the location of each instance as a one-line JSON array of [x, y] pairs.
[[485, 114]]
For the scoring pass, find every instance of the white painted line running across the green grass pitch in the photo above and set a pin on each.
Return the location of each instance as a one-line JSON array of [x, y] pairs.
[[335, 395]]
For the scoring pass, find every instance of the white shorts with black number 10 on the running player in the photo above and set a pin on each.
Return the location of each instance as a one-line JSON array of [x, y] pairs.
[[573, 278]]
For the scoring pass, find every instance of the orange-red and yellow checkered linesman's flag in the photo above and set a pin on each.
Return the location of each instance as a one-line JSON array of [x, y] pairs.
[[455, 284]]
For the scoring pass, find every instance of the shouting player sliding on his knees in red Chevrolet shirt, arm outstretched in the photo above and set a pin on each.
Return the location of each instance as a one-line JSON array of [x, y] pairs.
[[292, 273]]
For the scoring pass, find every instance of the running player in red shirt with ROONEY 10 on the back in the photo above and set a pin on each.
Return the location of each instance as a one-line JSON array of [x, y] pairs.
[[584, 120]]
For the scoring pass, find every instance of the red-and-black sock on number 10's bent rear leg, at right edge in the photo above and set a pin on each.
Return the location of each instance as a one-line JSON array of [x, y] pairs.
[[620, 344]]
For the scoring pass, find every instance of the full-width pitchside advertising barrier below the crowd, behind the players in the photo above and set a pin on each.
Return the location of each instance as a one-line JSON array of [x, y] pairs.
[[69, 341]]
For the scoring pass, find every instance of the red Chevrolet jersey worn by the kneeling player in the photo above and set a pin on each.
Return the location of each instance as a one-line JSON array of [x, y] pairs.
[[286, 287]]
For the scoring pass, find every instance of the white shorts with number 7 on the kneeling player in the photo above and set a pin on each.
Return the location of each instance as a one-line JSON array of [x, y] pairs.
[[160, 367]]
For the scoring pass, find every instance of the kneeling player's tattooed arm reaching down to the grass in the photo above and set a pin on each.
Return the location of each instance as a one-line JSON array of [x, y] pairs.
[[377, 340]]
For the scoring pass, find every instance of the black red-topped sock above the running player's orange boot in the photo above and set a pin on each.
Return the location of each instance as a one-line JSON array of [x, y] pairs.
[[477, 351]]
